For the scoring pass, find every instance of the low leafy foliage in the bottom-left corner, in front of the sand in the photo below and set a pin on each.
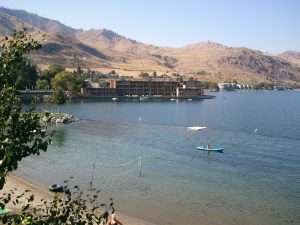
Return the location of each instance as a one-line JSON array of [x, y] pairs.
[[76, 207]]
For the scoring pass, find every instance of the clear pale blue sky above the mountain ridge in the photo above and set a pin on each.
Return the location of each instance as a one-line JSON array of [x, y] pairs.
[[267, 25]]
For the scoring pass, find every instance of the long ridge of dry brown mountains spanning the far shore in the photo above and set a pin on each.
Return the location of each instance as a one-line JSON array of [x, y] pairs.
[[104, 50]]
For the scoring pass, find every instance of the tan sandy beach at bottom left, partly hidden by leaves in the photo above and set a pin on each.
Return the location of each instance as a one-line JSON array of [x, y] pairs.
[[21, 184]]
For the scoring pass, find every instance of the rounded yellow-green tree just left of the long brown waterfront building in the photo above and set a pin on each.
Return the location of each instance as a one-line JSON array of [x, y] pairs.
[[71, 82]]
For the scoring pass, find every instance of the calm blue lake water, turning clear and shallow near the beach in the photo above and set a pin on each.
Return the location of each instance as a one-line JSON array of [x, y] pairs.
[[255, 181]]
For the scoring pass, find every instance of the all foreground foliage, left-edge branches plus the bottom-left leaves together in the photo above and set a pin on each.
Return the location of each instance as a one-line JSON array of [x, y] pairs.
[[21, 135]]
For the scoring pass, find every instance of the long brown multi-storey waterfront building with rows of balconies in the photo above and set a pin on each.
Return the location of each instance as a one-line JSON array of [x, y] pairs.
[[147, 88]]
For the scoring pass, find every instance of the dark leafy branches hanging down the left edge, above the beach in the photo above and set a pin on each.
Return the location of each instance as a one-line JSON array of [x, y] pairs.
[[21, 134]]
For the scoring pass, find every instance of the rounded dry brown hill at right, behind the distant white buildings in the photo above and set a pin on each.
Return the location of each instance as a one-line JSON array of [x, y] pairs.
[[217, 62]]
